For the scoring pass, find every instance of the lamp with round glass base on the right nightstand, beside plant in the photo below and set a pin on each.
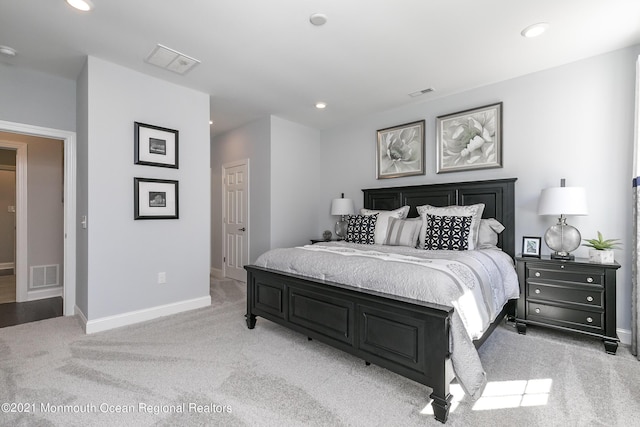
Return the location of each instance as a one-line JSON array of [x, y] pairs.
[[562, 238]]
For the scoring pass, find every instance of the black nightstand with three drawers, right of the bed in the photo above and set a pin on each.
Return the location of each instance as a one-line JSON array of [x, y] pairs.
[[577, 296]]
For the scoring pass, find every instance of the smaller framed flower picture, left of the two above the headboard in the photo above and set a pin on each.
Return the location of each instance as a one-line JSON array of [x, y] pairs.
[[400, 150]]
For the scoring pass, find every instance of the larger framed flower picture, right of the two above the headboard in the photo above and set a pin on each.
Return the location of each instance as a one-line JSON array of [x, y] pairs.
[[470, 139]]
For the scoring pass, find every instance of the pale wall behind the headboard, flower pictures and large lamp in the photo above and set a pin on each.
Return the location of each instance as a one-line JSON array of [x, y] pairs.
[[573, 122]]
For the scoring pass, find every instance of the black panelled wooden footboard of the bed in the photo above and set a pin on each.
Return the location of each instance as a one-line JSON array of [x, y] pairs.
[[406, 336]]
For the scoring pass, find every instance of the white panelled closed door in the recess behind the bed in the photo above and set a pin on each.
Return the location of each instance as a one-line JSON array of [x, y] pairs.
[[236, 219]]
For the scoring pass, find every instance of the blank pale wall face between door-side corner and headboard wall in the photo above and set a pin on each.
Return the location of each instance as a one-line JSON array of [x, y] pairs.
[[296, 173]]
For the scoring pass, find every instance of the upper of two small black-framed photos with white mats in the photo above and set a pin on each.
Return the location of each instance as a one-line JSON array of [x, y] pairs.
[[155, 146]]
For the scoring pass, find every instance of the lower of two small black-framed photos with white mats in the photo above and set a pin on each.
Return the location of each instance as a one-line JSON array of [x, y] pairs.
[[155, 198]]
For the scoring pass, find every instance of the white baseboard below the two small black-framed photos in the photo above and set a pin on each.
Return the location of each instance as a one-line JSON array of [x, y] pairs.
[[132, 317]]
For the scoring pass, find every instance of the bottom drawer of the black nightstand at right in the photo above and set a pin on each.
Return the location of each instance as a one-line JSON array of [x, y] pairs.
[[561, 316]]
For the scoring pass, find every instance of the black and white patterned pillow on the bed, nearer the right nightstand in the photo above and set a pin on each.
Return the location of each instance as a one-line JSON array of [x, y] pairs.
[[447, 232]]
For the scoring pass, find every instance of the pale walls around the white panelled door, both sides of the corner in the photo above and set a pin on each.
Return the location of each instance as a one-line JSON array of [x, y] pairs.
[[285, 177]]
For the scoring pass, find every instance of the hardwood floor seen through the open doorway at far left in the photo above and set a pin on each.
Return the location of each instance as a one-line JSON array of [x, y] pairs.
[[15, 313]]
